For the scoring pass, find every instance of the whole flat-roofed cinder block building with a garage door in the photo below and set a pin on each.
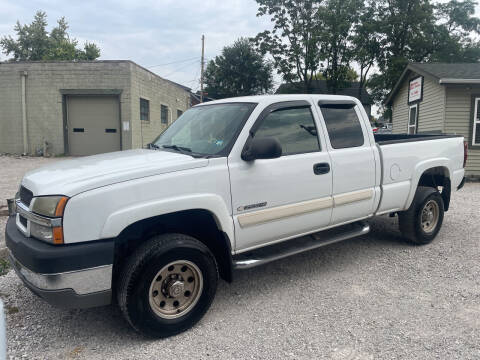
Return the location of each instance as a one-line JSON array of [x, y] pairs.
[[84, 108]]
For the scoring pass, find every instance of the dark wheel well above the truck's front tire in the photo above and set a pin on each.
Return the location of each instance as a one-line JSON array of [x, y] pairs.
[[198, 223]]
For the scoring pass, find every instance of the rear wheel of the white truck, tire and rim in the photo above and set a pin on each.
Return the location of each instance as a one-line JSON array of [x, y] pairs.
[[421, 223]]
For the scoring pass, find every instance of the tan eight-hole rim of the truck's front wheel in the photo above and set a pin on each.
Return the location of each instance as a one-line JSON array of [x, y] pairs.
[[175, 289]]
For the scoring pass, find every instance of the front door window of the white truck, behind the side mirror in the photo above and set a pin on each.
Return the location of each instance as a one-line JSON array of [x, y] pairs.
[[294, 128]]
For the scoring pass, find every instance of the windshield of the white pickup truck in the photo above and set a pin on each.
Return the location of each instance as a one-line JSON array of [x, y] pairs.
[[206, 130]]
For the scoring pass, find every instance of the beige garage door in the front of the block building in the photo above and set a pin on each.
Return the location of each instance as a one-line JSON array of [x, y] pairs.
[[93, 124]]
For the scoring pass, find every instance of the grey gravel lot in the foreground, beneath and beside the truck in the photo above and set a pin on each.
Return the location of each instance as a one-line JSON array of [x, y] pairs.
[[372, 297]]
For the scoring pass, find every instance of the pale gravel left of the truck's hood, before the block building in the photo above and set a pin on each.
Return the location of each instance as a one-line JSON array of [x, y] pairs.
[[12, 170]]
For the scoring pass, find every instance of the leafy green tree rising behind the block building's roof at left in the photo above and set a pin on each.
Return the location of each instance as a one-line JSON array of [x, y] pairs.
[[33, 42]]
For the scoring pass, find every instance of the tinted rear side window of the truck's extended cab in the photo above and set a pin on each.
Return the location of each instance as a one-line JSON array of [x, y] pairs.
[[344, 128]]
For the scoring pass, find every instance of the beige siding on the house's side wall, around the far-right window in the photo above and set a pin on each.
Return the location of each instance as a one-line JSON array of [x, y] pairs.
[[458, 120]]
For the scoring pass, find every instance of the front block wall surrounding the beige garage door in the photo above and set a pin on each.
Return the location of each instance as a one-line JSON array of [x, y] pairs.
[[44, 84]]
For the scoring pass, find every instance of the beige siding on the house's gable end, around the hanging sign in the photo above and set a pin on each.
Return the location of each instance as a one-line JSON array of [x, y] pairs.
[[430, 109]]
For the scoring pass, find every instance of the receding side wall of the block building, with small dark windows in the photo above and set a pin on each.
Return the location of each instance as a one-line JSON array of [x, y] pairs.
[[147, 85]]
